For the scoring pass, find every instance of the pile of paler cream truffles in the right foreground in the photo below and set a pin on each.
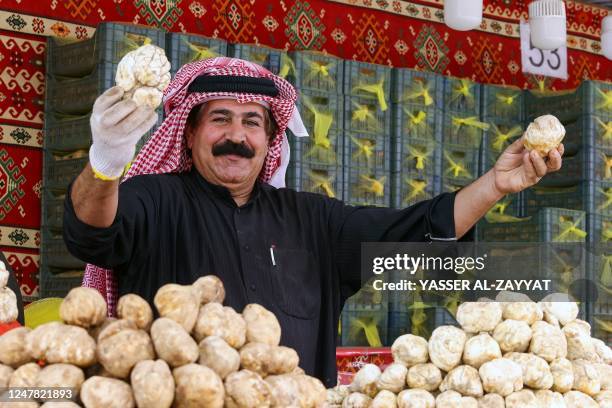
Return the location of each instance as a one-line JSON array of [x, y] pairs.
[[508, 353]]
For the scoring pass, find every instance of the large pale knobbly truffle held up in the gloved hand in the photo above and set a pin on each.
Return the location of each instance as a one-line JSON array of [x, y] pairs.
[[144, 74]]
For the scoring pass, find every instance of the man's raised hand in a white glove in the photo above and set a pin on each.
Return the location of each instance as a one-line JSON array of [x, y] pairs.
[[116, 127]]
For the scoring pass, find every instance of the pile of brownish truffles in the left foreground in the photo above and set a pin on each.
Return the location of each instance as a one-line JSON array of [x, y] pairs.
[[198, 353]]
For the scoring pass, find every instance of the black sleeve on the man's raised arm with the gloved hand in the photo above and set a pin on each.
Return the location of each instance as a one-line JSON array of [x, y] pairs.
[[129, 234]]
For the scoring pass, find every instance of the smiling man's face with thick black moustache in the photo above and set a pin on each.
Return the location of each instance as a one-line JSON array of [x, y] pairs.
[[230, 143]]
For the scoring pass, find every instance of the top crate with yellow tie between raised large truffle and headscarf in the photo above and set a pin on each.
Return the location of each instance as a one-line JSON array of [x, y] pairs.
[[182, 49]]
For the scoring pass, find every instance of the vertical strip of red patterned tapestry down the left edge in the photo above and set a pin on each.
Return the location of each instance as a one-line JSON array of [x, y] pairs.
[[22, 78]]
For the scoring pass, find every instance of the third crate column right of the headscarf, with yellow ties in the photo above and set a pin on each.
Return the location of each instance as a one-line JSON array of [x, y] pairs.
[[417, 107]]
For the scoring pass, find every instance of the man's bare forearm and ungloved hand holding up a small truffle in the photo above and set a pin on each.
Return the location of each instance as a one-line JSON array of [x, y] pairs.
[[515, 170]]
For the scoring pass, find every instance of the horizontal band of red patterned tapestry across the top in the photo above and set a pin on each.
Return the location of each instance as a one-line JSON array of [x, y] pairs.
[[392, 32]]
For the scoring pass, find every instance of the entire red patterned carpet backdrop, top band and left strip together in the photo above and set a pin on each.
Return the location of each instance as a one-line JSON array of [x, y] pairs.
[[392, 32]]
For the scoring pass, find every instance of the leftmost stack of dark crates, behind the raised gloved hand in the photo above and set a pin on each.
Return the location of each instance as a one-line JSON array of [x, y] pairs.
[[77, 73]]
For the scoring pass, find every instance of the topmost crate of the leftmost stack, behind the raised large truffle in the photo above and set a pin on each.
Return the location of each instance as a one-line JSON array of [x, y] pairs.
[[109, 44]]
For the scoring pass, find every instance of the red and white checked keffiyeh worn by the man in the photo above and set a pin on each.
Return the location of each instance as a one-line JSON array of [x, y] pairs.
[[166, 151]]
